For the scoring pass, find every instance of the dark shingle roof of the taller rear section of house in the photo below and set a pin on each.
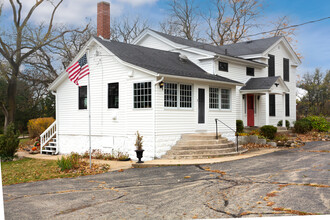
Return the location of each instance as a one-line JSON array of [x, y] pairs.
[[238, 49]]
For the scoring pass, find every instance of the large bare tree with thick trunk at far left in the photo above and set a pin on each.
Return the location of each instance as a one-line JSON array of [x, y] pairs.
[[24, 40]]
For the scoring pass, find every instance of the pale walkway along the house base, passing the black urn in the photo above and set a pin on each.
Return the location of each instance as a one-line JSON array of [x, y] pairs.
[[117, 165]]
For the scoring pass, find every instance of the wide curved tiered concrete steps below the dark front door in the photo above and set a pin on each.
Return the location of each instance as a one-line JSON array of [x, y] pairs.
[[202, 146]]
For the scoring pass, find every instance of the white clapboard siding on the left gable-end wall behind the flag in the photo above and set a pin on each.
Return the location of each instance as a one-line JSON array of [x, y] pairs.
[[104, 69]]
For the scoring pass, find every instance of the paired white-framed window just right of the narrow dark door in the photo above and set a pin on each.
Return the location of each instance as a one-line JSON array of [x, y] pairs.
[[219, 98]]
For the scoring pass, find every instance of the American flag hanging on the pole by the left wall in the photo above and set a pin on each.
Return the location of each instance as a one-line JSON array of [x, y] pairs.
[[78, 70]]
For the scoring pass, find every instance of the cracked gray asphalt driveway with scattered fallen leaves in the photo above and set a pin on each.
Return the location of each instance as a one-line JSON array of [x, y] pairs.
[[288, 182]]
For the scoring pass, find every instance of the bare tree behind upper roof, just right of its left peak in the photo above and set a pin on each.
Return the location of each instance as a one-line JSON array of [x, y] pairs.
[[183, 20]]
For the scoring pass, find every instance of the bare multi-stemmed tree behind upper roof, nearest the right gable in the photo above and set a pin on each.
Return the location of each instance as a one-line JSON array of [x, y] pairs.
[[232, 21]]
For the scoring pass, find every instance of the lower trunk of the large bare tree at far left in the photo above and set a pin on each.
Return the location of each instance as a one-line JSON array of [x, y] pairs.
[[12, 92]]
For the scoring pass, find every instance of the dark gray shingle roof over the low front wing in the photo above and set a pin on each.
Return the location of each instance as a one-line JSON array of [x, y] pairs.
[[162, 62]]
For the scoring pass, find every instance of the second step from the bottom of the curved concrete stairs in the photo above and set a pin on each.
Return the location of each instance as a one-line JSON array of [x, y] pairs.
[[203, 152]]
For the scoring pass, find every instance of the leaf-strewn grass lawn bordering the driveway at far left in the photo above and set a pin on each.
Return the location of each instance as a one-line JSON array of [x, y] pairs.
[[31, 170]]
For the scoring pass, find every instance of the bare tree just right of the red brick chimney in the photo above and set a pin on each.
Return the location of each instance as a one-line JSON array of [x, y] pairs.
[[126, 29]]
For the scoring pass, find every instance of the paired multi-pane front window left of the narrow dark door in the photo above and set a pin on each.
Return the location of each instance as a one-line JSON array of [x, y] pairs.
[[177, 95]]
